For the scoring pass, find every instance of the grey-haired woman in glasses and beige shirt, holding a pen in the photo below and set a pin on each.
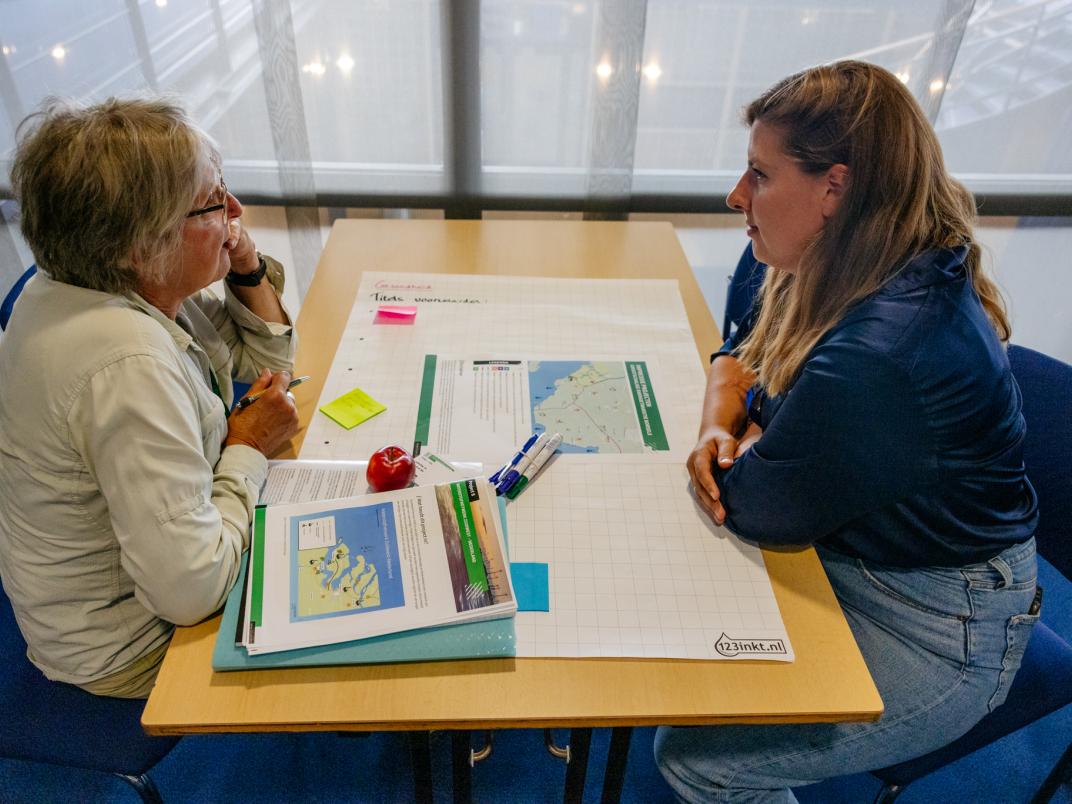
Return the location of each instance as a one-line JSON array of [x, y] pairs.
[[126, 489]]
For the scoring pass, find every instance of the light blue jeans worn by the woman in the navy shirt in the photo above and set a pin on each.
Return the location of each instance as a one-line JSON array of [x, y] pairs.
[[943, 646]]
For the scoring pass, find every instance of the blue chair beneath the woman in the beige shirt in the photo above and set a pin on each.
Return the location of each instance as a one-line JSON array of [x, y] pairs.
[[57, 724]]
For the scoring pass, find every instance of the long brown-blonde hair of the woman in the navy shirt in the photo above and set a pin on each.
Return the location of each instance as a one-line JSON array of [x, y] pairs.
[[900, 202]]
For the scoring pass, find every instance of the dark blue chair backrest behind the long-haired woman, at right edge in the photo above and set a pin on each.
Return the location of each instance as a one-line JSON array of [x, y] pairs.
[[1047, 388]]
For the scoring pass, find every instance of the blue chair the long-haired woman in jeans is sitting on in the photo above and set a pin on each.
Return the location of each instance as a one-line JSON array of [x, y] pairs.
[[1045, 682]]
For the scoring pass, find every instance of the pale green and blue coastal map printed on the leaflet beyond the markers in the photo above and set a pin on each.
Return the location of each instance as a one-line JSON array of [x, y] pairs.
[[590, 403]]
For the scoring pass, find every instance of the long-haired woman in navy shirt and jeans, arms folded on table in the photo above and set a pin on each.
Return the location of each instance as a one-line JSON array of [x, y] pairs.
[[886, 430]]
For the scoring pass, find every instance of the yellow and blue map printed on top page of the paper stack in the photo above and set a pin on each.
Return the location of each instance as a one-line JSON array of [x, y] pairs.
[[354, 573]]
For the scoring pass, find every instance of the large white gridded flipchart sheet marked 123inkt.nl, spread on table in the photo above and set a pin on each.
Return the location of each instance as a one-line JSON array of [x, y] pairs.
[[636, 570]]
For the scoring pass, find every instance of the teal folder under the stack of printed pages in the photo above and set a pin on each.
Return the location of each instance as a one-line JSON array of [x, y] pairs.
[[493, 638]]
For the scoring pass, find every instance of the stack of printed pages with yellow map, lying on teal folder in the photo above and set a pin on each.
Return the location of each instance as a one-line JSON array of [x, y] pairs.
[[331, 572]]
